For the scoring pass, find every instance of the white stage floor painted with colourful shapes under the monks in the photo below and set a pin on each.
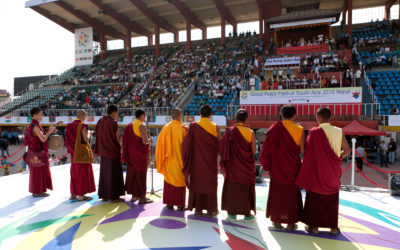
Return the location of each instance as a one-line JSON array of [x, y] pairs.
[[368, 220]]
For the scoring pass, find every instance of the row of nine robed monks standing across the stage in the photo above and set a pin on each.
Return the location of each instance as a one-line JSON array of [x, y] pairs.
[[188, 157]]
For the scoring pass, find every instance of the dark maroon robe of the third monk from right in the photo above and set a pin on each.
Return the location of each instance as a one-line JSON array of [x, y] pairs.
[[238, 165]]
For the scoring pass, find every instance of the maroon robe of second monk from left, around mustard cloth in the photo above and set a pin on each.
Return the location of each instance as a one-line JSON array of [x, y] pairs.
[[82, 179]]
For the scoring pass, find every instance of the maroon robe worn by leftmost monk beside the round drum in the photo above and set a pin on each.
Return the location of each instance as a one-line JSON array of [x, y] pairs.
[[39, 177]]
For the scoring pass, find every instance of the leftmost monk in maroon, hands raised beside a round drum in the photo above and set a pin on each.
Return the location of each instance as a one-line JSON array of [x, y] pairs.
[[37, 140]]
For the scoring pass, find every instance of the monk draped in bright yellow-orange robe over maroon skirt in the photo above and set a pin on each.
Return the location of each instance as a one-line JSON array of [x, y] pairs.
[[169, 161]]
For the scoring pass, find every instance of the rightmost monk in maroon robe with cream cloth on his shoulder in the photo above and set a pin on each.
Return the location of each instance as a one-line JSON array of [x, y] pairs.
[[320, 174]]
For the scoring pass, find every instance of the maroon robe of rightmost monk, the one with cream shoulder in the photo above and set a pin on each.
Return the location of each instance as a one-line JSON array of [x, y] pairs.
[[320, 177]]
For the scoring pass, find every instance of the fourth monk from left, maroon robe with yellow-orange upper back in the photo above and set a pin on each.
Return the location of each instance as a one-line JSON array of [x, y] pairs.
[[136, 154]]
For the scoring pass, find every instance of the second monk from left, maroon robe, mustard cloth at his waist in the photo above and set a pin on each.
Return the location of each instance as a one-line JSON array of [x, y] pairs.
[[82, 179]]
